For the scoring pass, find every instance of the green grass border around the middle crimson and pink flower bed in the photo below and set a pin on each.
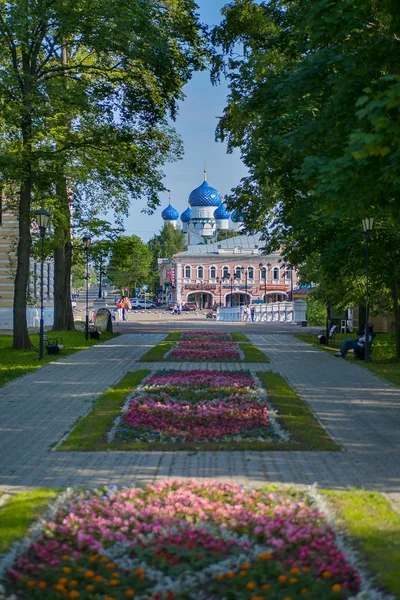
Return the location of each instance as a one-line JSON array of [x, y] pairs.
[[294, 416]]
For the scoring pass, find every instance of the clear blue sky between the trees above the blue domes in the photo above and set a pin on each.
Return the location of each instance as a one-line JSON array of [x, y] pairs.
[[196, 123]]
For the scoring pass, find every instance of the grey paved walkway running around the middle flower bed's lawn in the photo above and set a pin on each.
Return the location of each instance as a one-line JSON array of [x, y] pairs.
[[361, 412]]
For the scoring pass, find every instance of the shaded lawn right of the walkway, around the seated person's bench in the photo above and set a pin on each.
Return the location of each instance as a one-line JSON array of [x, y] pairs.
[[384, 363]]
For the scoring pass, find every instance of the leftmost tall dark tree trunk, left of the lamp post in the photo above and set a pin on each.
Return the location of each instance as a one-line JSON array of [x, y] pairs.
[[21, 340]]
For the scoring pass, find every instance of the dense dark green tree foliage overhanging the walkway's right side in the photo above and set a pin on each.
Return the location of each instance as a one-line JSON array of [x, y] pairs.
[[313, 106]]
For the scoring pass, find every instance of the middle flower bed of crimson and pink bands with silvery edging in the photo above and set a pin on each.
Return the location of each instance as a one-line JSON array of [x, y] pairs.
[[197, 405]]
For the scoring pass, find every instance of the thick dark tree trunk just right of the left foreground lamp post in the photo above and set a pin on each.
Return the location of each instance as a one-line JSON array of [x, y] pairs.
[[63, 315]]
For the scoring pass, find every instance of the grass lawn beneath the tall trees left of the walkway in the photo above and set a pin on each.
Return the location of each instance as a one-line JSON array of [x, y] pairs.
[[15, 363]]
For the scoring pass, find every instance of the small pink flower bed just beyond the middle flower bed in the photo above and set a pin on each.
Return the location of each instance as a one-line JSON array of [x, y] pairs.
[[205, 350]]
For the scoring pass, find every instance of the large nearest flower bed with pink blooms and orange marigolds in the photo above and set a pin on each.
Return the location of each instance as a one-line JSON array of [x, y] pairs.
[[184, 540]]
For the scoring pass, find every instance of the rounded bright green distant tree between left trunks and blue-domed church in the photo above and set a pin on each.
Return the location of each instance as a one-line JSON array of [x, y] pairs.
[[130, 263]]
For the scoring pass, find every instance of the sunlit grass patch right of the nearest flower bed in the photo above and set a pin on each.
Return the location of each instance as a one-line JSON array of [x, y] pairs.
[[373, 529]]
